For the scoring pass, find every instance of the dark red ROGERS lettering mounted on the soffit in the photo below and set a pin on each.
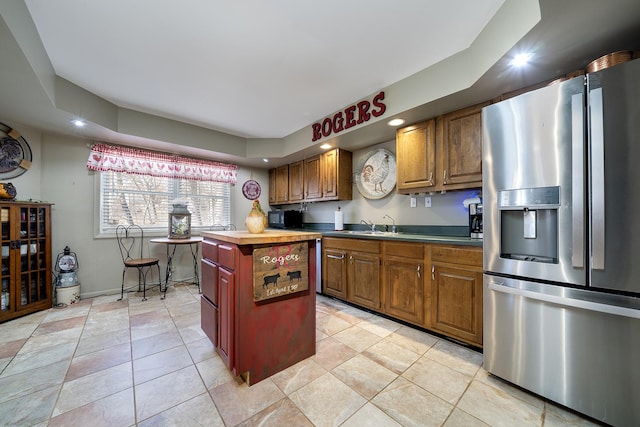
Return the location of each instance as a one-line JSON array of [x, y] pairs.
[[349, 117]]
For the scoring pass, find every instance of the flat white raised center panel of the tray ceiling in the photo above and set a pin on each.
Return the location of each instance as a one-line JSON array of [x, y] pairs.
[[252, 68]]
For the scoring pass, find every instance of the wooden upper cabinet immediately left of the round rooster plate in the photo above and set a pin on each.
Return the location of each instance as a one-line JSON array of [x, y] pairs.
[[336, 174]]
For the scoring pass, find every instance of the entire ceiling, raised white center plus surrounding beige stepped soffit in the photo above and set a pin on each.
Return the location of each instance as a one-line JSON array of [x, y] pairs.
[[241, 80]]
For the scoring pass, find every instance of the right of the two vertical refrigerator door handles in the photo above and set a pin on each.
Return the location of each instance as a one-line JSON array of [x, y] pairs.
[[597, 178]]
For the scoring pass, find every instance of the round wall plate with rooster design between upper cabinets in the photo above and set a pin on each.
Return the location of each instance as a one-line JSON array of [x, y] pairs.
[[376, 174]]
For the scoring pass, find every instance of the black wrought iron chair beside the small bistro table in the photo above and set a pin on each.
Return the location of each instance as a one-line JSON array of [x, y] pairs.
[[131, 245]]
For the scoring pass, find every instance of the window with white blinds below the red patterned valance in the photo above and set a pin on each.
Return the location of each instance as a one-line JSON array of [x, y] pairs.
[[145, 200]]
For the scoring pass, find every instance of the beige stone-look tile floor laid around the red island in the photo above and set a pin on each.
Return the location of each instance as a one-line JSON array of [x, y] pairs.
[[103, 362]]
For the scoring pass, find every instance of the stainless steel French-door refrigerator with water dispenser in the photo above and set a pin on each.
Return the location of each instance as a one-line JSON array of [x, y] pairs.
[[561, 192]]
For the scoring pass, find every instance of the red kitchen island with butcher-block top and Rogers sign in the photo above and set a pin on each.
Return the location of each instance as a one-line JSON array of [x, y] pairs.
[[258, 299]]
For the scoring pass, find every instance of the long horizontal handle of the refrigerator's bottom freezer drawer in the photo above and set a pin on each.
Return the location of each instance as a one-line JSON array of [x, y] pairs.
[[565, 301]]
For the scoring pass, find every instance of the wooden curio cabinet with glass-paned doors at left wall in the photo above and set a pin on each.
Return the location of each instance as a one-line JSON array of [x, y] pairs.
[[26, 258]]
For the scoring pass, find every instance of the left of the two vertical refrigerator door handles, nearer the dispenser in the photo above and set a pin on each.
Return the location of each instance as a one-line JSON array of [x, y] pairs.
[[577, 182]]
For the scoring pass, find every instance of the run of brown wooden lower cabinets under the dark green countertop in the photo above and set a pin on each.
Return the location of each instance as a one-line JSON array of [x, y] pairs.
[[433, 286]]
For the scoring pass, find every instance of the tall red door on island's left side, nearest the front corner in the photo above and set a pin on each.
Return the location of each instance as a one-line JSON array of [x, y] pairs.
[[226, 280]]
